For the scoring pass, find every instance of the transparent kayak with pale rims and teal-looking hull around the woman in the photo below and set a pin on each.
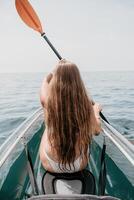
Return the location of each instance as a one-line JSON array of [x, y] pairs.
[[15, 182]]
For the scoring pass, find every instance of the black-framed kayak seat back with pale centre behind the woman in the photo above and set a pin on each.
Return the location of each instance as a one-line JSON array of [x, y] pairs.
[[82, 182]]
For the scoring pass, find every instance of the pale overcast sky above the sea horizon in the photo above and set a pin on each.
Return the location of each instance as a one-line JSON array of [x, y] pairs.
[[95, 34]]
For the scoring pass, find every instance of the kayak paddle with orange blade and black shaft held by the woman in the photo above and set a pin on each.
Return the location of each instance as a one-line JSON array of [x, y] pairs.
[[29, 16]]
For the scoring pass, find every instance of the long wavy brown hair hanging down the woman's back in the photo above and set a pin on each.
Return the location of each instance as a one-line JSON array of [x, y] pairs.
[[69, 114]]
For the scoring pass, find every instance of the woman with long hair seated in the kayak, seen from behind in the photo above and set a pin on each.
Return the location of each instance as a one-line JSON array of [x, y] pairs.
[[71, 120]]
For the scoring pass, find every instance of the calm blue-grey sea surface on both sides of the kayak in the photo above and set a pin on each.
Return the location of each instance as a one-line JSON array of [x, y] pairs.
[[19, 97]]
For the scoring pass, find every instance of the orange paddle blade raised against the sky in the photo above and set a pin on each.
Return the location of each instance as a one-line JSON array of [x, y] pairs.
[[28, 15]]
